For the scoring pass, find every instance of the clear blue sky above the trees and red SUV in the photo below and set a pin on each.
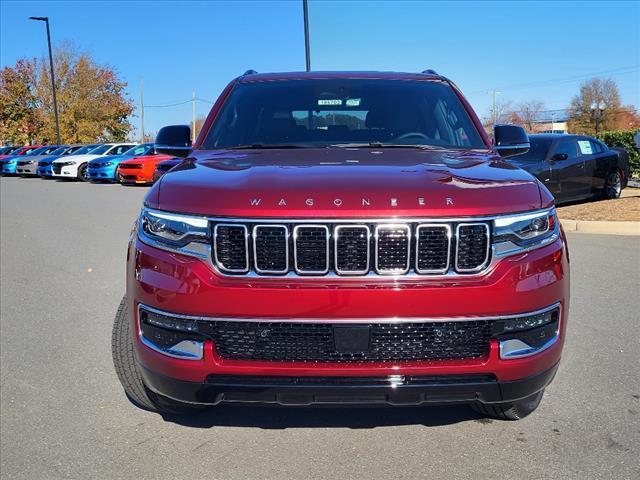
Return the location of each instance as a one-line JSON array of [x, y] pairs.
[[526, 50]]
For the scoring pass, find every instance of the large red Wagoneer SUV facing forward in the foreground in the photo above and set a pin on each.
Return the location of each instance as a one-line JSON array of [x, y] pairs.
[[344, 237]]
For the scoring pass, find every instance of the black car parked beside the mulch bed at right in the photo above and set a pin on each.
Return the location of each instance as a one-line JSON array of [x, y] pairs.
[[575, 167]]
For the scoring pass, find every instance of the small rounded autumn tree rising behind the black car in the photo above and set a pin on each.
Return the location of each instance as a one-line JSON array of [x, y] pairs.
[[596, 107]]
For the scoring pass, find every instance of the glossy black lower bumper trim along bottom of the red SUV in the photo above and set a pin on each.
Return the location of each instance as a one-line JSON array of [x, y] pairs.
[[392, 390]]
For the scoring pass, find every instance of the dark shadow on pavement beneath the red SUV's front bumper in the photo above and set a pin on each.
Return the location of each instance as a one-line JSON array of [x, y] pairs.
[[277, 418]]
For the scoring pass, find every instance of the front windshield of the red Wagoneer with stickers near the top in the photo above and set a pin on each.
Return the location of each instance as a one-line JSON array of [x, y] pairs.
[[343, 112]]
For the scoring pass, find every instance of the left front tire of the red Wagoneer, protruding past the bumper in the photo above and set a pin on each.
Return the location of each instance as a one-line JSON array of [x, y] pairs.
[[129, 373]]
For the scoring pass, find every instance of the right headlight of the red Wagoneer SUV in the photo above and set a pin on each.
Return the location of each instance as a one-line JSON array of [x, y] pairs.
[[517, 233]]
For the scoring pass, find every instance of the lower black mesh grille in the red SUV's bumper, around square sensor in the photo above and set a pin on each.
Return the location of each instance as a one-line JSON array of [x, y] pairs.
[[314, 342]]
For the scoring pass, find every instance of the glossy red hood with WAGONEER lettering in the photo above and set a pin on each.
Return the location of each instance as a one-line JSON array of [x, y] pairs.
[[343, 182]]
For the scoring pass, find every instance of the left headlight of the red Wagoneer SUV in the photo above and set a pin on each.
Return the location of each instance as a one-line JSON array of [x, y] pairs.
[[185, 234]]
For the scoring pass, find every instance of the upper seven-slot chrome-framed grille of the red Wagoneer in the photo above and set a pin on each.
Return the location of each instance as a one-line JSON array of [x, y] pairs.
[[351, 249]]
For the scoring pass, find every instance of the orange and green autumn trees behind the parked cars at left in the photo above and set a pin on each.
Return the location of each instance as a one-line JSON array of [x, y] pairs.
[[92, 104]]
